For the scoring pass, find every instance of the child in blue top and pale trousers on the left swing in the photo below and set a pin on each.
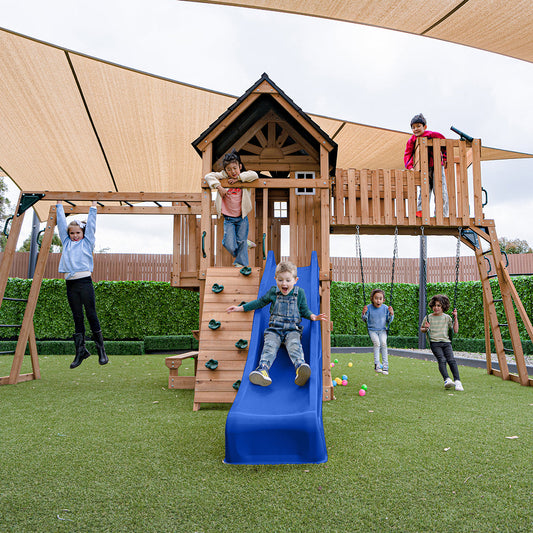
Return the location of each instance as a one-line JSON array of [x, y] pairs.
[[378, 318]]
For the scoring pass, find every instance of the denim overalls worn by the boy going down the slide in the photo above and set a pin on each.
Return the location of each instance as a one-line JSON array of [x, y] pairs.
[[284, 327]]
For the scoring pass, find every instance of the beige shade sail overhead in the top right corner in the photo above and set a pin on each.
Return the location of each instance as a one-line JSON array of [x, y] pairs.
[[503, 27]]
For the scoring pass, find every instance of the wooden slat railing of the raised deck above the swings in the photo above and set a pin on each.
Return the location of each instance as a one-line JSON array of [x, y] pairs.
[[388, 197]]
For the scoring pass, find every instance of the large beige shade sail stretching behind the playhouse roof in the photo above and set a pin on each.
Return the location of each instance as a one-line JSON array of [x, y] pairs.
[[70, 122]]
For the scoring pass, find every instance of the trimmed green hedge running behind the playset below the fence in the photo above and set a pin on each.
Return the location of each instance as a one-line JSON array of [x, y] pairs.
[[159, 315]]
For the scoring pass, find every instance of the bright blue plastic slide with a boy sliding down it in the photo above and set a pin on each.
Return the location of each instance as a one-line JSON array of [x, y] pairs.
[[281, 423]]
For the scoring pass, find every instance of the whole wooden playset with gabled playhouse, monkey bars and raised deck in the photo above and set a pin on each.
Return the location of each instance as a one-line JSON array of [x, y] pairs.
[[300, 187]]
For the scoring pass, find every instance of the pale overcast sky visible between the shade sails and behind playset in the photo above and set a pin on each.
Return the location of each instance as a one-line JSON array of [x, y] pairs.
[[341, 70]]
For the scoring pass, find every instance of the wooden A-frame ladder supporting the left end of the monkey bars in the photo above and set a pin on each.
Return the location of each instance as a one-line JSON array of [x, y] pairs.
[[27, 332]]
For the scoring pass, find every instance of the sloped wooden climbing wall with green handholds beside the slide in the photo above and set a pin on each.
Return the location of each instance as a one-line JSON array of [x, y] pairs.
[[219, 385]]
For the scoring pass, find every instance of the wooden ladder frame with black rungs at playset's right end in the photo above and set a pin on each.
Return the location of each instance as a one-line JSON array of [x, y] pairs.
[[509, 296]]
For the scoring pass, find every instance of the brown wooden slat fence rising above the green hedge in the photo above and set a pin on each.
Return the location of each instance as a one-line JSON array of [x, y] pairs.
[[157, 267]]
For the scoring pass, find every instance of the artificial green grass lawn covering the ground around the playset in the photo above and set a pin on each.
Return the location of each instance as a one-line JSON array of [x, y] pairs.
[[113, 449]]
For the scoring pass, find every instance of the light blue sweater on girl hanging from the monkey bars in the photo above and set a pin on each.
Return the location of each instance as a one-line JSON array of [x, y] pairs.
[[76, 256]]
